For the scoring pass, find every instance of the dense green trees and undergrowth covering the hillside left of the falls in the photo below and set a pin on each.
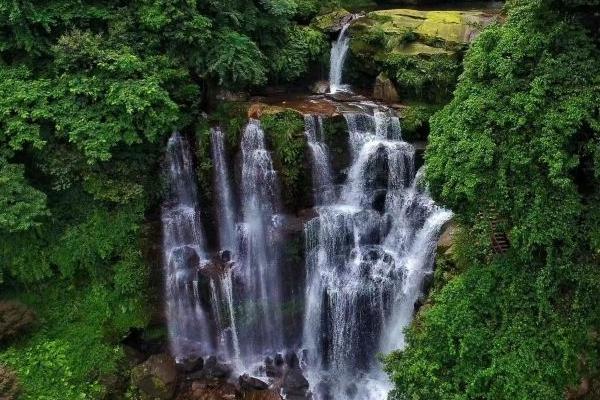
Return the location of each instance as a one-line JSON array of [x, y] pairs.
[[90, 92]]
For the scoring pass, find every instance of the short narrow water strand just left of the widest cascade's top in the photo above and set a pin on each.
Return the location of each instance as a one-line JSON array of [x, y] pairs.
[[324, 191]]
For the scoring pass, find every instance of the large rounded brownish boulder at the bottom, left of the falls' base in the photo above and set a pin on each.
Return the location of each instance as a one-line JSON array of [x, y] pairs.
[[156, 378]]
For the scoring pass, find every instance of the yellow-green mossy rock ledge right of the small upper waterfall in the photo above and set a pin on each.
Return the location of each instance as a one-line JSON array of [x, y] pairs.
[[421, 51]]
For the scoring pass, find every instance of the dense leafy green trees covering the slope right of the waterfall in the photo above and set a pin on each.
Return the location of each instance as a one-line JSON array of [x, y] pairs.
[[519, 143]]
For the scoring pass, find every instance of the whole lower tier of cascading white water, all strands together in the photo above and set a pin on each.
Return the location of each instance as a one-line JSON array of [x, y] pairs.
[[368, 254]]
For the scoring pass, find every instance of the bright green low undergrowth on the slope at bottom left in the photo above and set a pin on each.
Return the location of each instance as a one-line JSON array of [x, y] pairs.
[[79, 341]]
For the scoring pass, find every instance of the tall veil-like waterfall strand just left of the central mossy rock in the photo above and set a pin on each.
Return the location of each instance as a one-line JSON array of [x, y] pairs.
[[258, 251]]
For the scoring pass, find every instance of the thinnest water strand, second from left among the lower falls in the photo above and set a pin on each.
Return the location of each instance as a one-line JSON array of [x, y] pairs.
[[224, 197]]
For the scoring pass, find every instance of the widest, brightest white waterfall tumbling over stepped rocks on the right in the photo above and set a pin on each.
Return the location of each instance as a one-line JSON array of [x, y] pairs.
[[368, 254]]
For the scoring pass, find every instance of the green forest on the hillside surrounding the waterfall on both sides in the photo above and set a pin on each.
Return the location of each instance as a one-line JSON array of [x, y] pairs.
[[91, 92]]
